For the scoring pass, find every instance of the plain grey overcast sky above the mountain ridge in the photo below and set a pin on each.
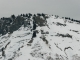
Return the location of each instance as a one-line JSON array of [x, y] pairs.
[[65, 8]]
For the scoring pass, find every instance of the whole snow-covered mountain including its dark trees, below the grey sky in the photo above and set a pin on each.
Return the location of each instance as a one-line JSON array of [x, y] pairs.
[[39, 37]]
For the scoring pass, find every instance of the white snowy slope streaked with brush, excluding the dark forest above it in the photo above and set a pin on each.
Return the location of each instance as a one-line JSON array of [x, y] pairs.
[[57, 40]]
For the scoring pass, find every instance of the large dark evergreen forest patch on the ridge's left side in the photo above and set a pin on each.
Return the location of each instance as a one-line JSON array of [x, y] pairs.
[[13, 23]]
